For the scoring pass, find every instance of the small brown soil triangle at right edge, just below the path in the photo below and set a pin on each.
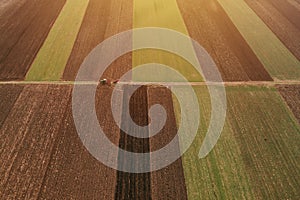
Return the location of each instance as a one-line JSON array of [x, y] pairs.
[[291, 94]]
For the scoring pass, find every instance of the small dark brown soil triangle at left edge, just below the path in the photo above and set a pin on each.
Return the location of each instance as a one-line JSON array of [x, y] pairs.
[[8, 96]]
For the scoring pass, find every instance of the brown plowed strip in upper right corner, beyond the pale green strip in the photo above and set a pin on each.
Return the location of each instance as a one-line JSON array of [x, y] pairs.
[[287, 32]]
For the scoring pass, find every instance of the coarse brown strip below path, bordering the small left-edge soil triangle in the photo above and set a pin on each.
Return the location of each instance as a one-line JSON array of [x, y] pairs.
[[27, 138]]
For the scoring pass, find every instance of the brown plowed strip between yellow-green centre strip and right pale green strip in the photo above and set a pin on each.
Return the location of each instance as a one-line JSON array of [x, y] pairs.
[[208, 24]]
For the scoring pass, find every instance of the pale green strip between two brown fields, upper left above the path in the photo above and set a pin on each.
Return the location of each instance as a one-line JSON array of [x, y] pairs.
[[53, 56]]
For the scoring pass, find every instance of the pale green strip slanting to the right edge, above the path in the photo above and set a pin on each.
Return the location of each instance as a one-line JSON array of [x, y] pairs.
[[276, 58]]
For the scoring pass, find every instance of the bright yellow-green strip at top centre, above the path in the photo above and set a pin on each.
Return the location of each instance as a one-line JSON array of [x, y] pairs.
[[164, 14]]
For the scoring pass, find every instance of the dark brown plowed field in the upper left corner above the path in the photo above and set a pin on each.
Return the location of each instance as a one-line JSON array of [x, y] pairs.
[[24, 27]]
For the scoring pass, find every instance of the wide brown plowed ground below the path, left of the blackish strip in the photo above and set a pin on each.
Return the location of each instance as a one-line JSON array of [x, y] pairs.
[[41, 153]]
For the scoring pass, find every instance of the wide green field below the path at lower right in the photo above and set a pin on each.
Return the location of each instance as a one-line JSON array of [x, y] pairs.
[[257, 155]]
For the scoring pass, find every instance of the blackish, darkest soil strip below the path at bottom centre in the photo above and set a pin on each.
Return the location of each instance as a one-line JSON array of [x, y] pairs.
[[131, 185]]
